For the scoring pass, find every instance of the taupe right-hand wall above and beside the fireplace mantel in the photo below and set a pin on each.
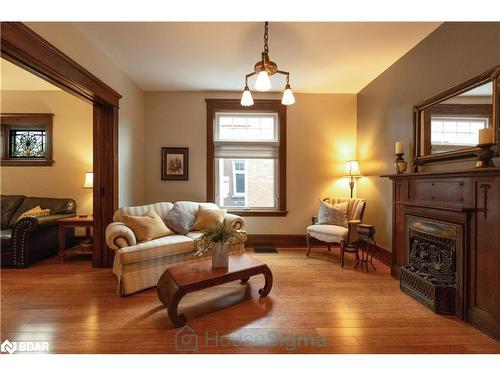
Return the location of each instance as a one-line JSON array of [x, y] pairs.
[[450, 55]]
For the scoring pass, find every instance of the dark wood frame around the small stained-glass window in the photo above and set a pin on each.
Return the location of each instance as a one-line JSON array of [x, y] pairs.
[[42, 121]]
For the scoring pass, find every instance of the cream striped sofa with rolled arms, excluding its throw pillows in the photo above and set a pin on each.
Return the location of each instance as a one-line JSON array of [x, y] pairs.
[[138, 266]]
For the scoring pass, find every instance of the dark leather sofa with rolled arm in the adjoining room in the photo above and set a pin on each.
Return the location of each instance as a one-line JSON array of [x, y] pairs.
[[32, 238]]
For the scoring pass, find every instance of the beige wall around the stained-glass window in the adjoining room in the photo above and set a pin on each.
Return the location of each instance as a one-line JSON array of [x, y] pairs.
[[72, 148]]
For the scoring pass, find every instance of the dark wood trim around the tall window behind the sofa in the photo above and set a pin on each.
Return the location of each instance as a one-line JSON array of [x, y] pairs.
[[261, 105]]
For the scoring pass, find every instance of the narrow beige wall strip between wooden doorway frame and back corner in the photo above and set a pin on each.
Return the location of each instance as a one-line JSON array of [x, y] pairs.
[[72, 42]]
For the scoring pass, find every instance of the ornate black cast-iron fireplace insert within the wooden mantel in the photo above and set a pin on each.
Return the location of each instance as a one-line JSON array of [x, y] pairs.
[[431, 273]]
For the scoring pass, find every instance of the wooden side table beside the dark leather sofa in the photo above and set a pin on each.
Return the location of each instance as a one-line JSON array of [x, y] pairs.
[[86, 222]]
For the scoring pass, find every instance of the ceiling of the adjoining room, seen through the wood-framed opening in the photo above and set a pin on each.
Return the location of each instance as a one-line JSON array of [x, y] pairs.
[[14, 78]]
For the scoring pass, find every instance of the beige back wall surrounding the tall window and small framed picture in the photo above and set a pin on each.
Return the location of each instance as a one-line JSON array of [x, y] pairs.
[[321, 131]]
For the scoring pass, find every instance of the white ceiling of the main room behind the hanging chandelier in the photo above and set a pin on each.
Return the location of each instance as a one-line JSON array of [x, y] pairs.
[[341, 57]]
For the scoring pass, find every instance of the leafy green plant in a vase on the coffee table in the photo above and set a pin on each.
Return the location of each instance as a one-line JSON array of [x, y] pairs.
[[219, 238]]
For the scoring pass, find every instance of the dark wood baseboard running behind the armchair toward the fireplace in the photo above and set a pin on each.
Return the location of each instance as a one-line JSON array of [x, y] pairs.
[[299, 241]]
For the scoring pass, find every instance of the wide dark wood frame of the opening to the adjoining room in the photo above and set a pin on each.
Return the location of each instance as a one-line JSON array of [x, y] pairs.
[[23, 47]]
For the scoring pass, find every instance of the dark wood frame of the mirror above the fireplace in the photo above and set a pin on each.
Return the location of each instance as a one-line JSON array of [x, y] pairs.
[[491, 75]]
